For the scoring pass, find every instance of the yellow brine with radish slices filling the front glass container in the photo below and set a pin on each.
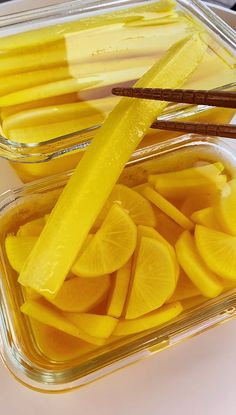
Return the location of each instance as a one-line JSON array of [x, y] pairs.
[[180, 200]]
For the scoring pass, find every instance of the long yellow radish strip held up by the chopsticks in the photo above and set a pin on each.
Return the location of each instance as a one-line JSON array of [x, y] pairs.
[[99, 169]]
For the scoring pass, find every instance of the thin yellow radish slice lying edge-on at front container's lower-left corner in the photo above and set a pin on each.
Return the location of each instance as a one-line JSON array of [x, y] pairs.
[[41, 311]]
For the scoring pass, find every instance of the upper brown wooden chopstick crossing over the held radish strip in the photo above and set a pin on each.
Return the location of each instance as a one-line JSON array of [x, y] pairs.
[[214, 98]]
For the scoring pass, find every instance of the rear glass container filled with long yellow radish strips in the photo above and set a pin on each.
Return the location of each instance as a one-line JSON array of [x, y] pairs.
[[59, 63]]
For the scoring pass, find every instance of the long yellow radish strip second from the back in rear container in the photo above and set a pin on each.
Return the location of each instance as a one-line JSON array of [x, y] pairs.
[[108, 43]]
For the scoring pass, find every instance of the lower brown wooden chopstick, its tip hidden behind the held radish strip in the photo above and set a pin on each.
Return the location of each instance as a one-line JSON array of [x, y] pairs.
[[224, 130]]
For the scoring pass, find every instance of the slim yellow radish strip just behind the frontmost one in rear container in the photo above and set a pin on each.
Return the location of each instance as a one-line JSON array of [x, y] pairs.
[[51, 89]]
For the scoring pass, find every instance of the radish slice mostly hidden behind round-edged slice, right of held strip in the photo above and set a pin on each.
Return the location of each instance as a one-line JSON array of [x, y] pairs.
[[139, 209]]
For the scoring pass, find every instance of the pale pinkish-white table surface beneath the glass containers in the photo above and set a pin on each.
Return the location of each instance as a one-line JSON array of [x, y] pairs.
[[193, 378]]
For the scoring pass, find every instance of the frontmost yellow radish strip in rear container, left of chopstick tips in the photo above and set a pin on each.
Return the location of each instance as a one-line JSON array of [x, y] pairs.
[[42, 124]]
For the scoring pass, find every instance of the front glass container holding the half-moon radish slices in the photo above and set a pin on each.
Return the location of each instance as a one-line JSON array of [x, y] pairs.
[[44, 359]]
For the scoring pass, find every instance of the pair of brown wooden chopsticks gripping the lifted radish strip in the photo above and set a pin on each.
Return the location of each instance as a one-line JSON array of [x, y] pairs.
[[221, 99]]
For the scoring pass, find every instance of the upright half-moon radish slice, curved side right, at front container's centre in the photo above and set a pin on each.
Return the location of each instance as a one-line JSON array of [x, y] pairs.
[[154, 279]]
